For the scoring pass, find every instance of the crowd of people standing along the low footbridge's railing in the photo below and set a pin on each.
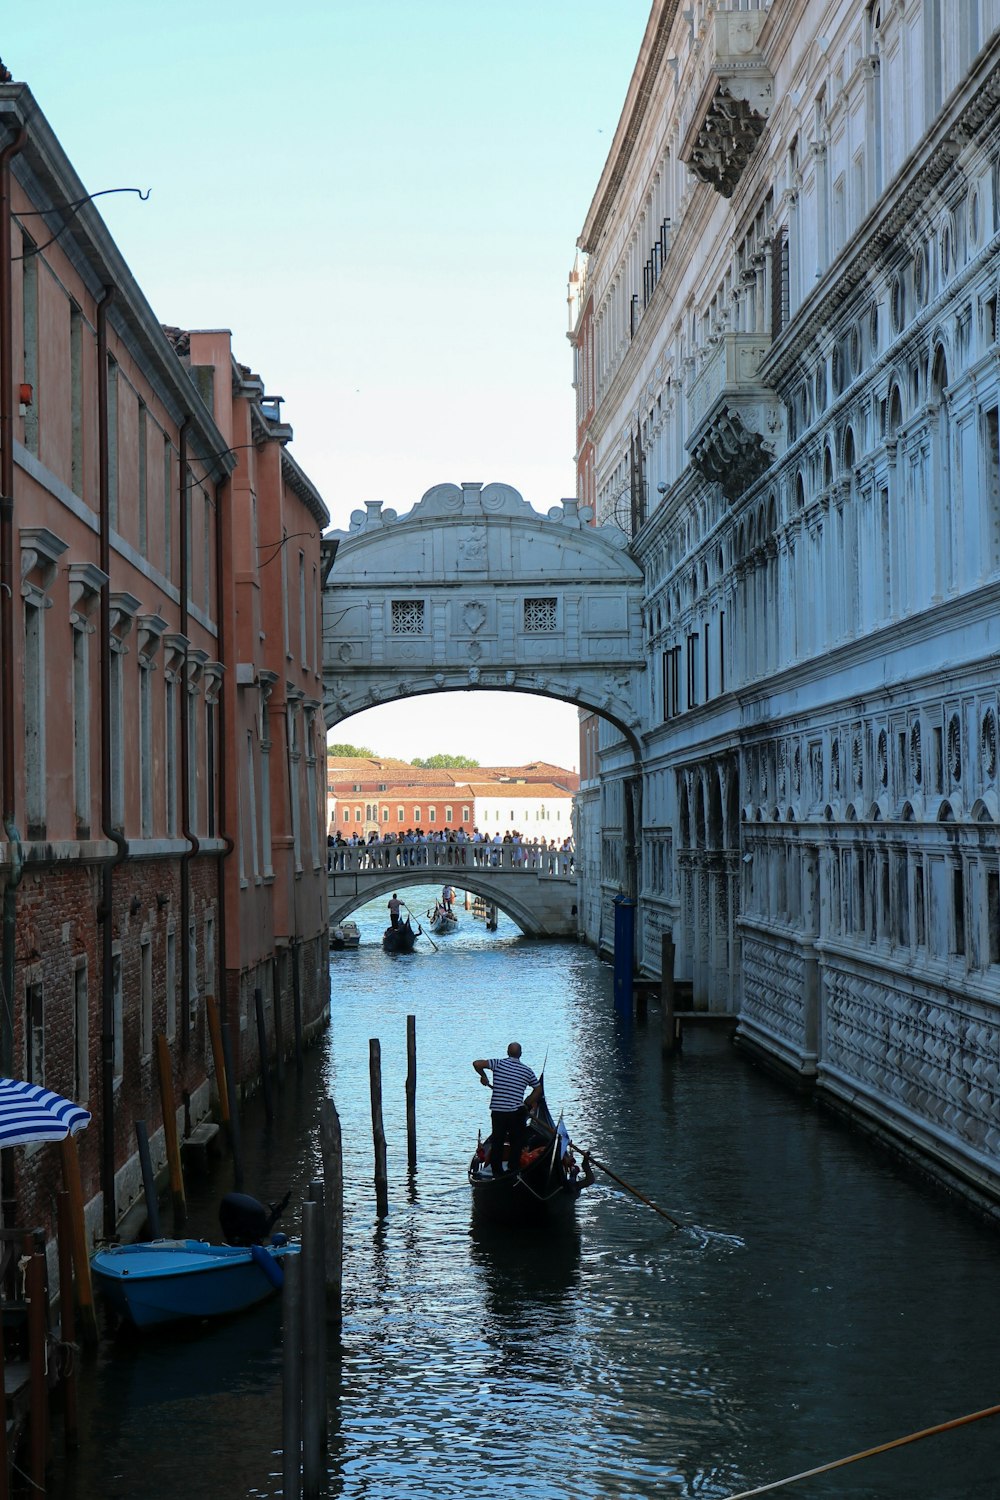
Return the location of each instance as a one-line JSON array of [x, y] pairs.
[[452, 848]]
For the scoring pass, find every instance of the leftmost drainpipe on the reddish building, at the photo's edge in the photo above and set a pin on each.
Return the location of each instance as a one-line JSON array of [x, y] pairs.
[[7, 629]]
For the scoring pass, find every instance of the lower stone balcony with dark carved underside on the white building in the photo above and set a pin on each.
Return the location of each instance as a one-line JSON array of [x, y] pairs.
[[737, 422]]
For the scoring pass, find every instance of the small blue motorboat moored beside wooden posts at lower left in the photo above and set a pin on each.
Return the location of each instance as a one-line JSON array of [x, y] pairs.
[[169, 1280]]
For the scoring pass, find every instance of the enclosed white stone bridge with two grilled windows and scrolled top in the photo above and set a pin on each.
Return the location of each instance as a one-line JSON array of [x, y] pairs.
[[476, 590]]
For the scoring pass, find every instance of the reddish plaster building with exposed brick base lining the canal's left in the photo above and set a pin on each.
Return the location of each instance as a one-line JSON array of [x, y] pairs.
[[121, 709]]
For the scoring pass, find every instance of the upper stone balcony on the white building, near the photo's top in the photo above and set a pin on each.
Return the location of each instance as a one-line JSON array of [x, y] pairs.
[[734, 104]]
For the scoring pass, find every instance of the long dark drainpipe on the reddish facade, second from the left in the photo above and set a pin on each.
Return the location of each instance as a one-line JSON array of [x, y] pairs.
[[106, 910]]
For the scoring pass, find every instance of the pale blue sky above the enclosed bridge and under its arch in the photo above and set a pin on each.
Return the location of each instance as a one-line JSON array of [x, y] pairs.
[[382, 200]]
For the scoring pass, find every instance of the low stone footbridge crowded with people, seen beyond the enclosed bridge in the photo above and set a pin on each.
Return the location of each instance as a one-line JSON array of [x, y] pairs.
[[536, 889]]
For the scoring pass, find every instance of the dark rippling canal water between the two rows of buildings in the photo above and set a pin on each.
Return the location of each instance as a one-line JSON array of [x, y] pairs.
[[818, 1303]]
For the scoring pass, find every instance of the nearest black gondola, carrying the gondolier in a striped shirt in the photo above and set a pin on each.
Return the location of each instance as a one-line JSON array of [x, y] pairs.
[[546, 1186]]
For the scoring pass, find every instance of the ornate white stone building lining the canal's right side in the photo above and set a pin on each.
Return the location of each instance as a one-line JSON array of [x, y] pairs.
[[786, 340]]
